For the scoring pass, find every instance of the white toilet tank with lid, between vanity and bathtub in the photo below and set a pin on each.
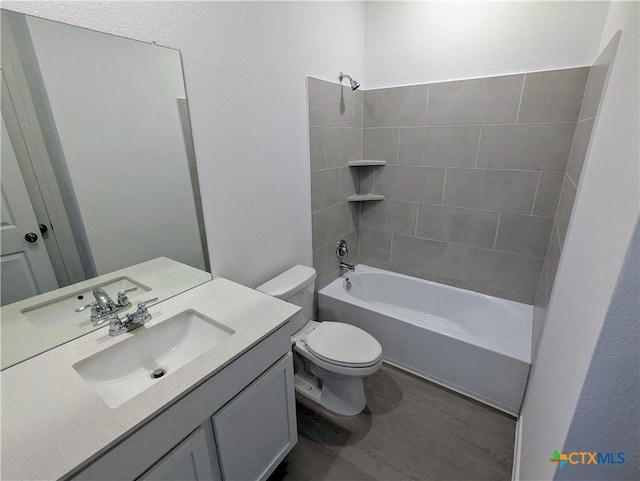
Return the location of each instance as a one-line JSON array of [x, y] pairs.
[[296, 286]]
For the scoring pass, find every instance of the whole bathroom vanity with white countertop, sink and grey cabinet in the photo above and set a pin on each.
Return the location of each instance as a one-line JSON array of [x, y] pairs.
[[228, 413]]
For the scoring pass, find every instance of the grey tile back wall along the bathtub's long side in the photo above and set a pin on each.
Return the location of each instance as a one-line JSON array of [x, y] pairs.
[[474, 174]]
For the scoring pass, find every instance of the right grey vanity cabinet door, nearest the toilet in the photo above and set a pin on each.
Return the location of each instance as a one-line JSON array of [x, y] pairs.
[[257, 428]]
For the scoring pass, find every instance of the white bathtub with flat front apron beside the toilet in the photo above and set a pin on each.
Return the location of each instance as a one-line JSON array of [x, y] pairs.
[[475, 344]]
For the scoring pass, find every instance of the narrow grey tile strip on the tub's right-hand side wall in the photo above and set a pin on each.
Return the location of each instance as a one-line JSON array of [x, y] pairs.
[[569, 181]]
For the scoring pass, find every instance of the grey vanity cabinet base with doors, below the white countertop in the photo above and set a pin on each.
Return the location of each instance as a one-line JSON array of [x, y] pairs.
[[237, 425]]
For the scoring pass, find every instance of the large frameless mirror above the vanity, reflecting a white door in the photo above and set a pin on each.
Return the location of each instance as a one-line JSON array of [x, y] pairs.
[[99, 185]]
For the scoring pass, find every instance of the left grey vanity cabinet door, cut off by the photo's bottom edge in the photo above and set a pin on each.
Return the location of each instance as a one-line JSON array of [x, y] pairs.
[[191, 460]]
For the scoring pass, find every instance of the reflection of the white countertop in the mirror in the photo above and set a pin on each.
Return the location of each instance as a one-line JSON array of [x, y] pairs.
[[21, 339]]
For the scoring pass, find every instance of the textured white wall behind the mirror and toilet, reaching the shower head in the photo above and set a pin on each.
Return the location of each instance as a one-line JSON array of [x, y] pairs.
[[245, 66]]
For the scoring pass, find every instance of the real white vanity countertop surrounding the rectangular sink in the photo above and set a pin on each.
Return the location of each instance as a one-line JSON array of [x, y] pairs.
[[52, 421]]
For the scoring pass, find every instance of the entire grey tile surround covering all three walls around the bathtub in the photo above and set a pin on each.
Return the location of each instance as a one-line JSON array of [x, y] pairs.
[[479, 185]]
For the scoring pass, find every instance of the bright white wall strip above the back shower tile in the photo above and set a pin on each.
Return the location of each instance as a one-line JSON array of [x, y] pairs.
[[420, 42]]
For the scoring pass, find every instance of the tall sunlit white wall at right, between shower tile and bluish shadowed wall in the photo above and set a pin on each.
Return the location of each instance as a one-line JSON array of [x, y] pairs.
[[604, 215]]
